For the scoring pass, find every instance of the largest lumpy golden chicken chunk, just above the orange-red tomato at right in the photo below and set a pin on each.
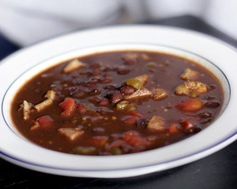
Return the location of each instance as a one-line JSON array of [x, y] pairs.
[[192, 88]]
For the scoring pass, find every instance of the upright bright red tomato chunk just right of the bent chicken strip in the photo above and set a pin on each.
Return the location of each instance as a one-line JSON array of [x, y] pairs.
[[68, 106]]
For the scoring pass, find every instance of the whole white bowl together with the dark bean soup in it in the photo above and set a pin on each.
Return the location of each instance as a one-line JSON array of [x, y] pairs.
[[117, 102]]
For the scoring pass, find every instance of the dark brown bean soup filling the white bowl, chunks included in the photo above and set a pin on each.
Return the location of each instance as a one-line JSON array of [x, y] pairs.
[[117, 103]]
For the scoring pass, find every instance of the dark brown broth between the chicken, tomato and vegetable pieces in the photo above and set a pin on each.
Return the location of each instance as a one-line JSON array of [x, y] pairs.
[[167, 76]]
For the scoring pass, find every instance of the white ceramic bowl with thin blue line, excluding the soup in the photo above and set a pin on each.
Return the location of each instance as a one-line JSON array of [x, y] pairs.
[[217, 56]]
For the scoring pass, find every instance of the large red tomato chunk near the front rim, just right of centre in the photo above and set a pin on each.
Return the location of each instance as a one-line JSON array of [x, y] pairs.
[[134, 139]]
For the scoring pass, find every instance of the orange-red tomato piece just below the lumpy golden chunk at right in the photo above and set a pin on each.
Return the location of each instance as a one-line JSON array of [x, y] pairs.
[[191, 105]]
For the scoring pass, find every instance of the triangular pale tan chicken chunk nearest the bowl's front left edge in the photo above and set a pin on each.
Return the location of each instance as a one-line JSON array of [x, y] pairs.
[[71, 133]]
